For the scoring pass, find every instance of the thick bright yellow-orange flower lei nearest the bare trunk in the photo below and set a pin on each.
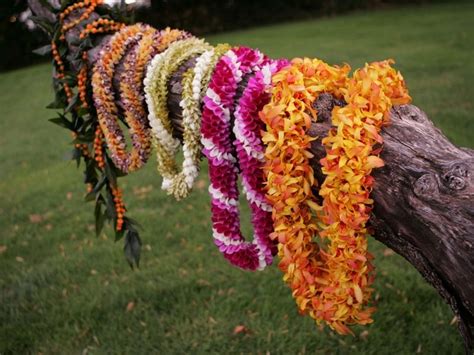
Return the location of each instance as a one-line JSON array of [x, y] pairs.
[[332, 283]]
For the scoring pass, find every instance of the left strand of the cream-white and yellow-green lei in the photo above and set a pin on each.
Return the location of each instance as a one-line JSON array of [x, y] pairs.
[[156, 91]]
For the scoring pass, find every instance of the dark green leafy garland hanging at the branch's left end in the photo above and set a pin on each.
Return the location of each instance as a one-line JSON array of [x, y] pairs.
[[82, 122]]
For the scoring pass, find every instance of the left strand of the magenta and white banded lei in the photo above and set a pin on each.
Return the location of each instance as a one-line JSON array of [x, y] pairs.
[[223, 168]]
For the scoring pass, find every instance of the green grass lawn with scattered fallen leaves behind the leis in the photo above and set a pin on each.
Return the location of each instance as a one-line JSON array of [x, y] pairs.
[[65, 291]]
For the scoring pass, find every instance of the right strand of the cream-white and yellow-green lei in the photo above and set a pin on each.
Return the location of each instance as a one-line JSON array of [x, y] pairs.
[[194, 86]]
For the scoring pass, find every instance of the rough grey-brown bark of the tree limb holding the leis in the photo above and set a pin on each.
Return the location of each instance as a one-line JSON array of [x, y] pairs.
[[424, 196]]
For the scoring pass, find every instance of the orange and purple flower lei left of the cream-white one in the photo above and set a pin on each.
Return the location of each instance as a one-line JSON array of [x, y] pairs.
[[103, 92]]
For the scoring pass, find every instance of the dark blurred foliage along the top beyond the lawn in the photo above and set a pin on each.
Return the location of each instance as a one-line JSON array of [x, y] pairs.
[[18, 39]]
